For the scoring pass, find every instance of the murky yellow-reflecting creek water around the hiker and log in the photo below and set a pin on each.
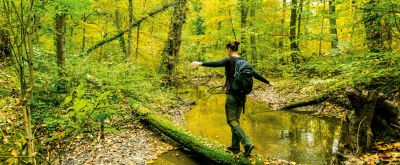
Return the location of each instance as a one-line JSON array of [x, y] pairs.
[[276, 134]]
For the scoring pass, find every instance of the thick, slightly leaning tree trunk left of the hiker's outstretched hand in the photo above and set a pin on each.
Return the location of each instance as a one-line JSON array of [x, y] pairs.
[[170, 53]]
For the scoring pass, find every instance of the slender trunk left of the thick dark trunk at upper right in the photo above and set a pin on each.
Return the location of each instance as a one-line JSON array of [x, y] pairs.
[[332, 22]]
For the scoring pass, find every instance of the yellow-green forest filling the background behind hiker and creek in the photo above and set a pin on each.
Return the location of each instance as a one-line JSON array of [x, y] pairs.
[[68, 68]]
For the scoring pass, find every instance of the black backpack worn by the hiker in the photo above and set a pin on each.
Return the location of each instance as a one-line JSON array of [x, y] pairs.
[[243, 78]]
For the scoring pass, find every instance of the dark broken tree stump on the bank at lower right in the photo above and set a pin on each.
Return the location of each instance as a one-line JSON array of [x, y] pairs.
[[371, 117]]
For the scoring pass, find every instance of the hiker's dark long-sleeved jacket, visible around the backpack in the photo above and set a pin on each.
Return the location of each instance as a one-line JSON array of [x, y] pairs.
[[229, 65]]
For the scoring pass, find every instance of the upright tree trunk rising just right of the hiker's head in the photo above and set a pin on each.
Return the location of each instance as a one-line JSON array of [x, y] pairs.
[[244, 10]]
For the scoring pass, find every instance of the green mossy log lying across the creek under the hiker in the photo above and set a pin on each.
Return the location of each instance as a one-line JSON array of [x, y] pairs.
[[201, 146]]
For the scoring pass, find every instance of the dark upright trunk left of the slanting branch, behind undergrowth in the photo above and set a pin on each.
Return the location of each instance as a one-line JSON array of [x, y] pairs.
[[60, 39]]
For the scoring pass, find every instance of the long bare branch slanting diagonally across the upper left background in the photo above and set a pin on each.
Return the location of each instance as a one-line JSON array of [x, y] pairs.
[[119, 34]]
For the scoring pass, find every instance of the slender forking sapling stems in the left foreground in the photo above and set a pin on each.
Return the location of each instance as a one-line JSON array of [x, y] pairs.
[[20, 22]]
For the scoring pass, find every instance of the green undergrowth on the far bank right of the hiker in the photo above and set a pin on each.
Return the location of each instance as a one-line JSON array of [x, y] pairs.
[[334, 72]]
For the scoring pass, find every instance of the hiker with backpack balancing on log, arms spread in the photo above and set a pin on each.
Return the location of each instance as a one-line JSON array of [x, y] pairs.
[[239, 82]]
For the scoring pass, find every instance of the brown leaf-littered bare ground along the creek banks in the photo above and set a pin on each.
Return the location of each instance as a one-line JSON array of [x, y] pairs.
[[142, 146]]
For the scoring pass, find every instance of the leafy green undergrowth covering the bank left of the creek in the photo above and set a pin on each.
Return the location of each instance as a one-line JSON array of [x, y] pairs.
[[85, 99]]
